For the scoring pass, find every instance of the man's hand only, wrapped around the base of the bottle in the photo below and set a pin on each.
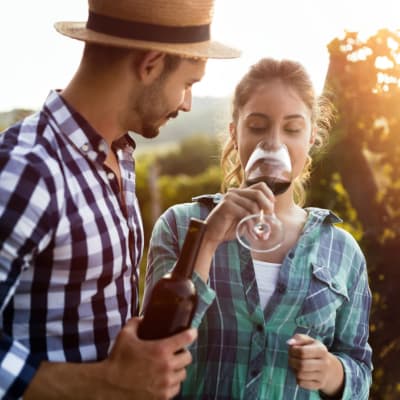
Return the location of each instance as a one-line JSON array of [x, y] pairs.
[[149, 369]]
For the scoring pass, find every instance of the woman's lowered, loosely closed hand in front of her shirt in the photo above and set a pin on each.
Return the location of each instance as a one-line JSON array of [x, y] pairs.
[[315, 367]]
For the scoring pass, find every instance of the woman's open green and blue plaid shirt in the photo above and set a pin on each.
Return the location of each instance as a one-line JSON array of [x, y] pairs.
[[241, 351]]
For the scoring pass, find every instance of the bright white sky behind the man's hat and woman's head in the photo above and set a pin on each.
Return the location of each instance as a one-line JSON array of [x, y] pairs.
[[34, 58]]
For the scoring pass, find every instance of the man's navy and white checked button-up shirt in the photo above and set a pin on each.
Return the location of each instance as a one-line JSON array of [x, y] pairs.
[[69, 246]]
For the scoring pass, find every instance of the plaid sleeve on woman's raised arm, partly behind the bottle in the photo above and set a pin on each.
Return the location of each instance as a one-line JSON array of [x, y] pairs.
[[164, 249]]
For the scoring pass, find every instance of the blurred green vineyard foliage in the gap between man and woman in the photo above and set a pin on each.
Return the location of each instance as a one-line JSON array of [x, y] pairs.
[[175, 176]]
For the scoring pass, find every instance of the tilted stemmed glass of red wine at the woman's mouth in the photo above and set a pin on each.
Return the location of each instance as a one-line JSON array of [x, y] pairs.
[[269, 163]]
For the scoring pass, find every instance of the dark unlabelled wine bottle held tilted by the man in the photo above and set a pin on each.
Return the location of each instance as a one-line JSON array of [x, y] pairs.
[[173, 300]]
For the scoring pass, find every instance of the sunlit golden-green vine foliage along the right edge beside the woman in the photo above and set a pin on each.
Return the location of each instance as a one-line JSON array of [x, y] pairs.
[[359, 178]]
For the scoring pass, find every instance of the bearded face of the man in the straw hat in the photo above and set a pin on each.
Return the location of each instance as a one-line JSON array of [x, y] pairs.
[[168, 95]]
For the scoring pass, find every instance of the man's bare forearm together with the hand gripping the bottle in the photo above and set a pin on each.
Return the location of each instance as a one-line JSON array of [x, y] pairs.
[[135, 369]]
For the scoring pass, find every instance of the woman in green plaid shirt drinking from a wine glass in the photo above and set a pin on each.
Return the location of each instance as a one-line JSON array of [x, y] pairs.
[[291, 323]]
